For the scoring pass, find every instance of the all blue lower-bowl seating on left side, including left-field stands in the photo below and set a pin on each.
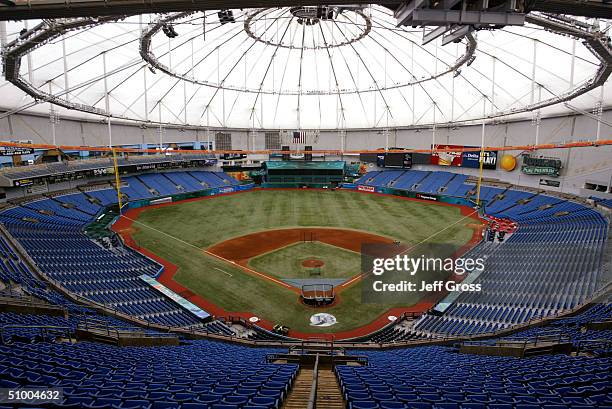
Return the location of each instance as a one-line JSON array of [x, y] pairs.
[[52, 235]]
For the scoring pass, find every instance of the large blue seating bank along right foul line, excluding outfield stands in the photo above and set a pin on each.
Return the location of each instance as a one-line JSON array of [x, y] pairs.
[[542, 269]]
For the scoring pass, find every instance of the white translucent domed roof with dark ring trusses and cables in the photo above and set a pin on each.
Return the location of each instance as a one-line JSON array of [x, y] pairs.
[[292, 68]]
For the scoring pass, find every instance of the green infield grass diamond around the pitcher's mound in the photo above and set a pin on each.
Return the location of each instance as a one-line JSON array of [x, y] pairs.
[[286, 262]]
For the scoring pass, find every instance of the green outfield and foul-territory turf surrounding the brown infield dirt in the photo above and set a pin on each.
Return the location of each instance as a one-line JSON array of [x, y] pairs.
[[178, 233]]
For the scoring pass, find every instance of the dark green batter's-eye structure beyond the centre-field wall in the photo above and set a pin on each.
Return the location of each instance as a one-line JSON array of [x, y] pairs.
[[302, 173]]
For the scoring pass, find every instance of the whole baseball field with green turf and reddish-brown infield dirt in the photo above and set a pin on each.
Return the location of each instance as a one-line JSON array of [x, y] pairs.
[[241, 251]]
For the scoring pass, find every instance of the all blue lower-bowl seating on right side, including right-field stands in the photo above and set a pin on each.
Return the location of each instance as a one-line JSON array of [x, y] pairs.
[[550, 264]]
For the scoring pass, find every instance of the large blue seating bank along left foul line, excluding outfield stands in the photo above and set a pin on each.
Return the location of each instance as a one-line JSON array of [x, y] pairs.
[[109, 277]]
